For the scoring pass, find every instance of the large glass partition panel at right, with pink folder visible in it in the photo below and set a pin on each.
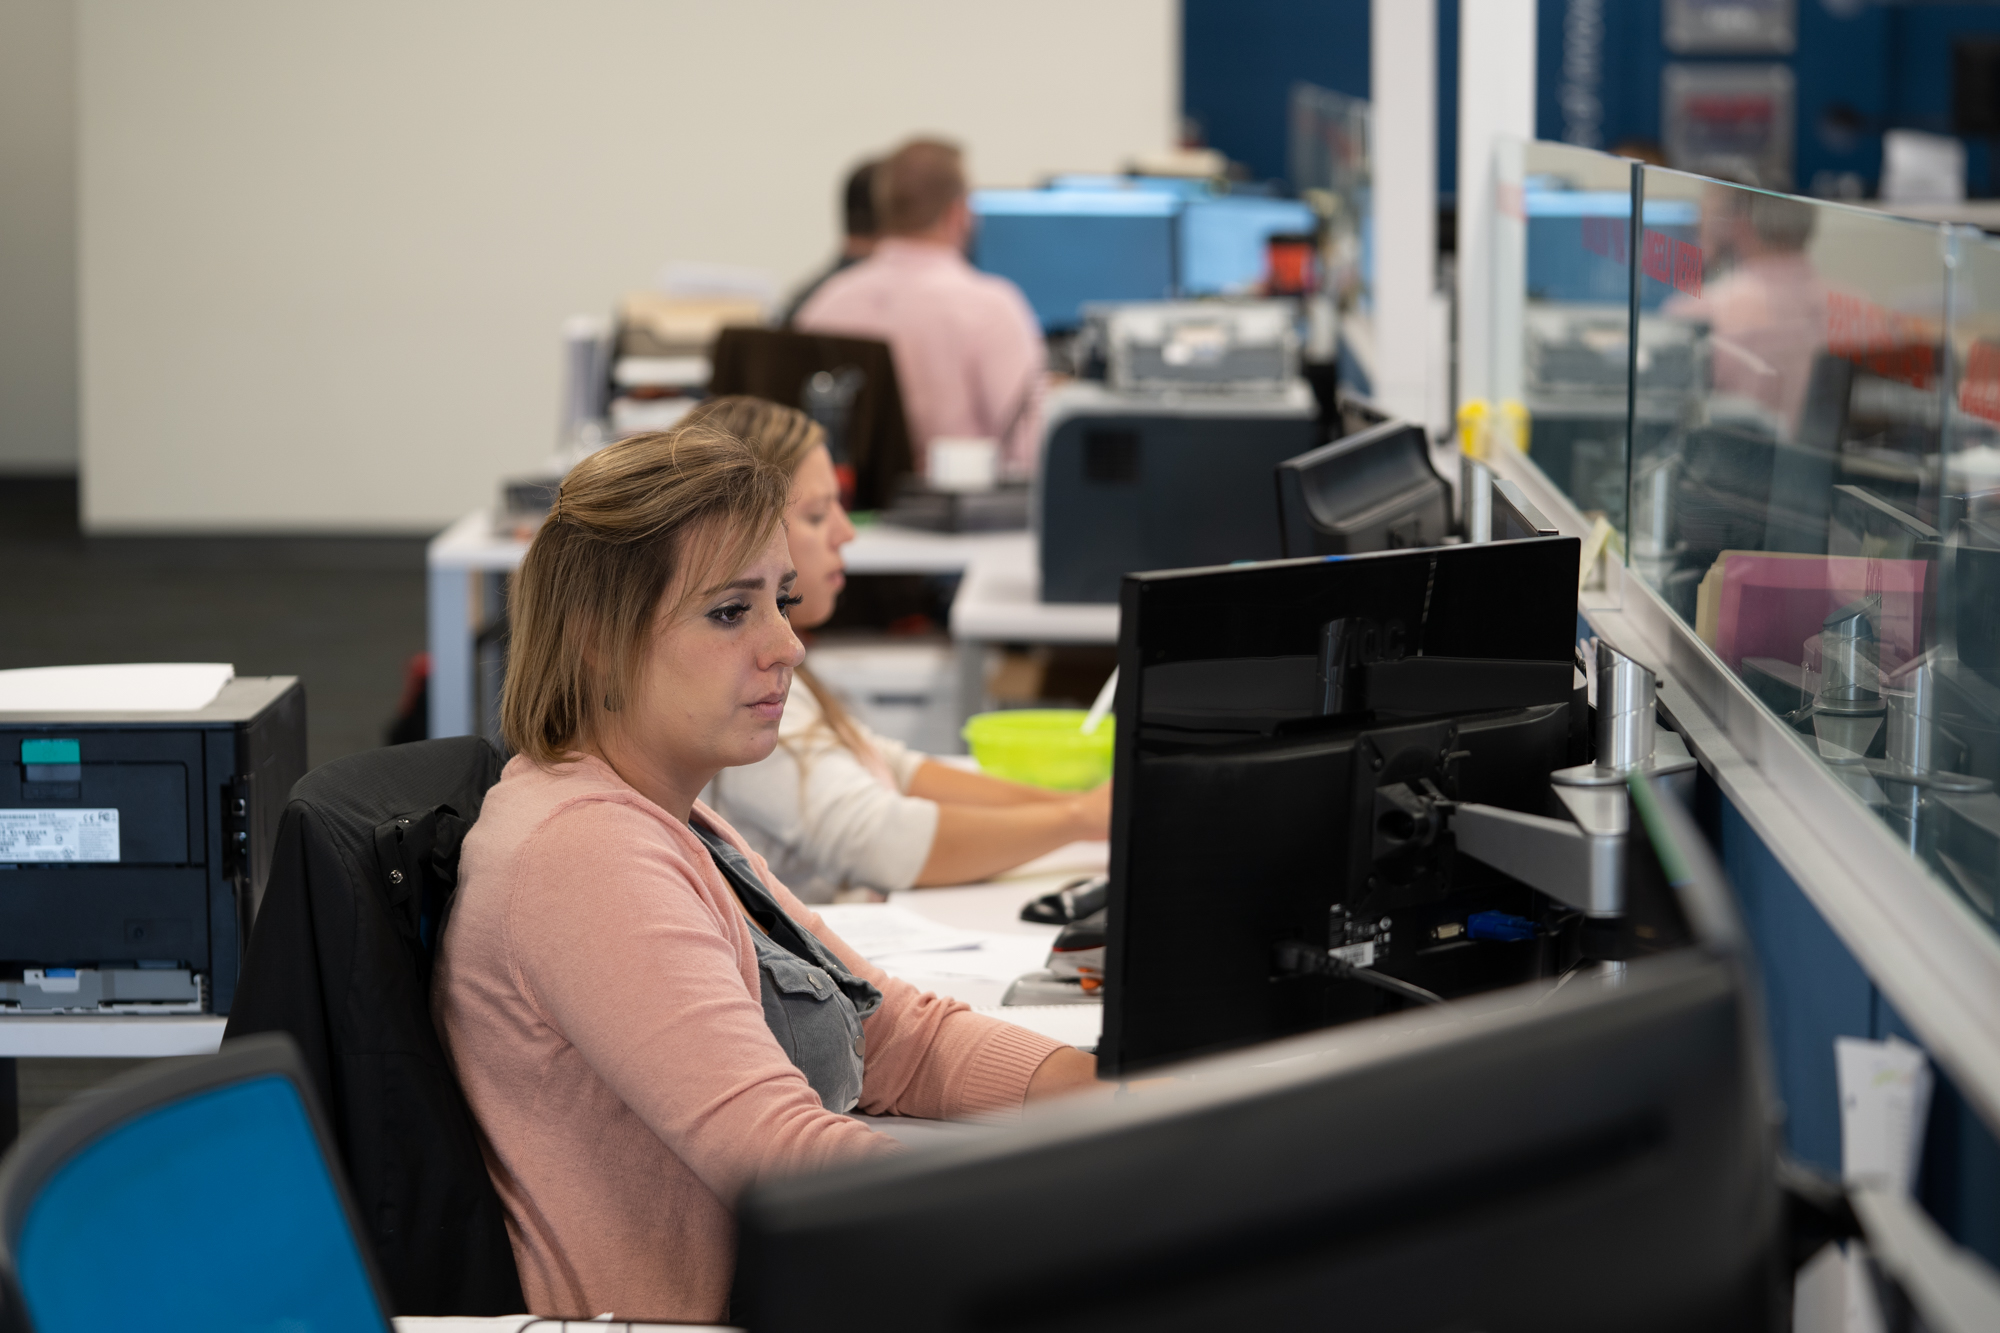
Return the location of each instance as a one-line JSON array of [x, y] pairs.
[[1801, 489]]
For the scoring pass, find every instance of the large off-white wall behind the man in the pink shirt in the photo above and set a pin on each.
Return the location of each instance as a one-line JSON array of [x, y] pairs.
[[327, 247]]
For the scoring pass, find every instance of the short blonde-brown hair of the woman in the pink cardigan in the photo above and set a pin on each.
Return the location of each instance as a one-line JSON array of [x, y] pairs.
[[693, 505]]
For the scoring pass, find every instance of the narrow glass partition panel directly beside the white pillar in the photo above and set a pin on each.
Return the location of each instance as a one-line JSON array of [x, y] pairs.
[[1561, 315]]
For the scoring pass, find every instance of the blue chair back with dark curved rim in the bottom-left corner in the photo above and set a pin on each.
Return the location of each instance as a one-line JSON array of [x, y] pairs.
[[187, 1196]]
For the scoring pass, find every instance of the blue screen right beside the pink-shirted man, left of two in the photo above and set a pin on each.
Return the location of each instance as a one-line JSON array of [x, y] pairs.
[[1067, 249]]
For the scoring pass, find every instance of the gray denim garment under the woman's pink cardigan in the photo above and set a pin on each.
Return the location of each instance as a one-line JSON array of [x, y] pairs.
[[813, 1006]]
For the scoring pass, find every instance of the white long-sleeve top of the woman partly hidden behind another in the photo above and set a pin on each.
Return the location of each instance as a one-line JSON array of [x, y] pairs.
[[827, 818]]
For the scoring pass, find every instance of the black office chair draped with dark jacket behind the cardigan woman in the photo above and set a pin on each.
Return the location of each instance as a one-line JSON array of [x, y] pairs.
[[339, 960]]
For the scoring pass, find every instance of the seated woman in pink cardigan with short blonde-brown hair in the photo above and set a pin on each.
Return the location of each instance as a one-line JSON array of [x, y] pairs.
[[643, 1020]]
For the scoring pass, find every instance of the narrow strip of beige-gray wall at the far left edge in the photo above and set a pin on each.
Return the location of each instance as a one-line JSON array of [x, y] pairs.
[[37, 237]]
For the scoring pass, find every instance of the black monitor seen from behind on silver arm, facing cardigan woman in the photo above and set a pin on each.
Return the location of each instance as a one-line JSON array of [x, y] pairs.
[[1263, 712]]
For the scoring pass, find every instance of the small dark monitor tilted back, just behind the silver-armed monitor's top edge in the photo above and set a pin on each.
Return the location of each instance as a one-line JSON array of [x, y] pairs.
[[1369, 491]]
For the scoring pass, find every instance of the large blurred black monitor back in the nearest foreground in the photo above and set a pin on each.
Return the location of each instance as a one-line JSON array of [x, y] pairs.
[[1595, 1158]]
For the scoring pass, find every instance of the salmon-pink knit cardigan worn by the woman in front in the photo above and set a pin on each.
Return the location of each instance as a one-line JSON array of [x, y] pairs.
[[599, 998]]
